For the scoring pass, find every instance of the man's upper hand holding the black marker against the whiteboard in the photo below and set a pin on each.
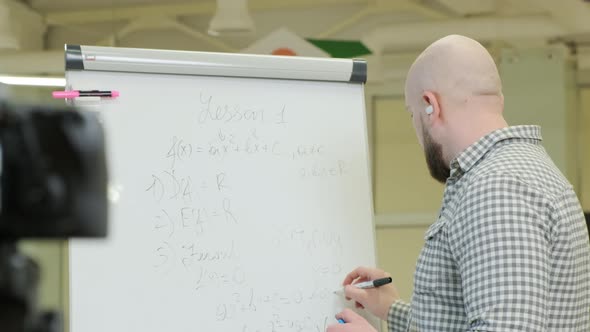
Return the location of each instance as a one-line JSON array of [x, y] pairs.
[[376, 300]]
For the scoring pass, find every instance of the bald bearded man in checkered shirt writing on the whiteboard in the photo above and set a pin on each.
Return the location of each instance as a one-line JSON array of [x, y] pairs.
[[509, 250]]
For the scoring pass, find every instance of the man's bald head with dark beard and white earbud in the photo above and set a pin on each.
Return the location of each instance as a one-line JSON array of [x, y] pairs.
[[457, 79]]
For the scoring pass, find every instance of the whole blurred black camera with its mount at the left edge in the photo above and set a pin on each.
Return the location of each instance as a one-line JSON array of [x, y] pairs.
[[53, 184]]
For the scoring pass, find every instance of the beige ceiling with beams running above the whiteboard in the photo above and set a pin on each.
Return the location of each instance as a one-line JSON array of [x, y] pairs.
[[390, 27]]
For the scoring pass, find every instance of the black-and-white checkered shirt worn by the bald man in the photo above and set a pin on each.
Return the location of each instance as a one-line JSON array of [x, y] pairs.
[[509, 250]]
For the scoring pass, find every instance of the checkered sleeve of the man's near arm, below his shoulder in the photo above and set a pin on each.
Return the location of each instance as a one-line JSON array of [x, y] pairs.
[[501, 248]]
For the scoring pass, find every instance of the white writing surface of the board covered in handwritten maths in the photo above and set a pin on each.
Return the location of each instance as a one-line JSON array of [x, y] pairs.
[[238, 205]]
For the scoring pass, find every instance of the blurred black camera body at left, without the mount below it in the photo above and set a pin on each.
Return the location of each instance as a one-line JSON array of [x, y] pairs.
[[53, 178]]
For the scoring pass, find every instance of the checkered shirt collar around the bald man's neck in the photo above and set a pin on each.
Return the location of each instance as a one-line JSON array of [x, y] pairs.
[[470, 156]]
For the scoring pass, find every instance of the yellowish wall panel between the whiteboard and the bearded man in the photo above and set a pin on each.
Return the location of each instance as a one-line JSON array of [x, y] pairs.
[[403, 191]]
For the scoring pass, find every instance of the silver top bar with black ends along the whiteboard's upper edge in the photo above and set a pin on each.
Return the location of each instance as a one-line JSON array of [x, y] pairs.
[[99, 58]]
